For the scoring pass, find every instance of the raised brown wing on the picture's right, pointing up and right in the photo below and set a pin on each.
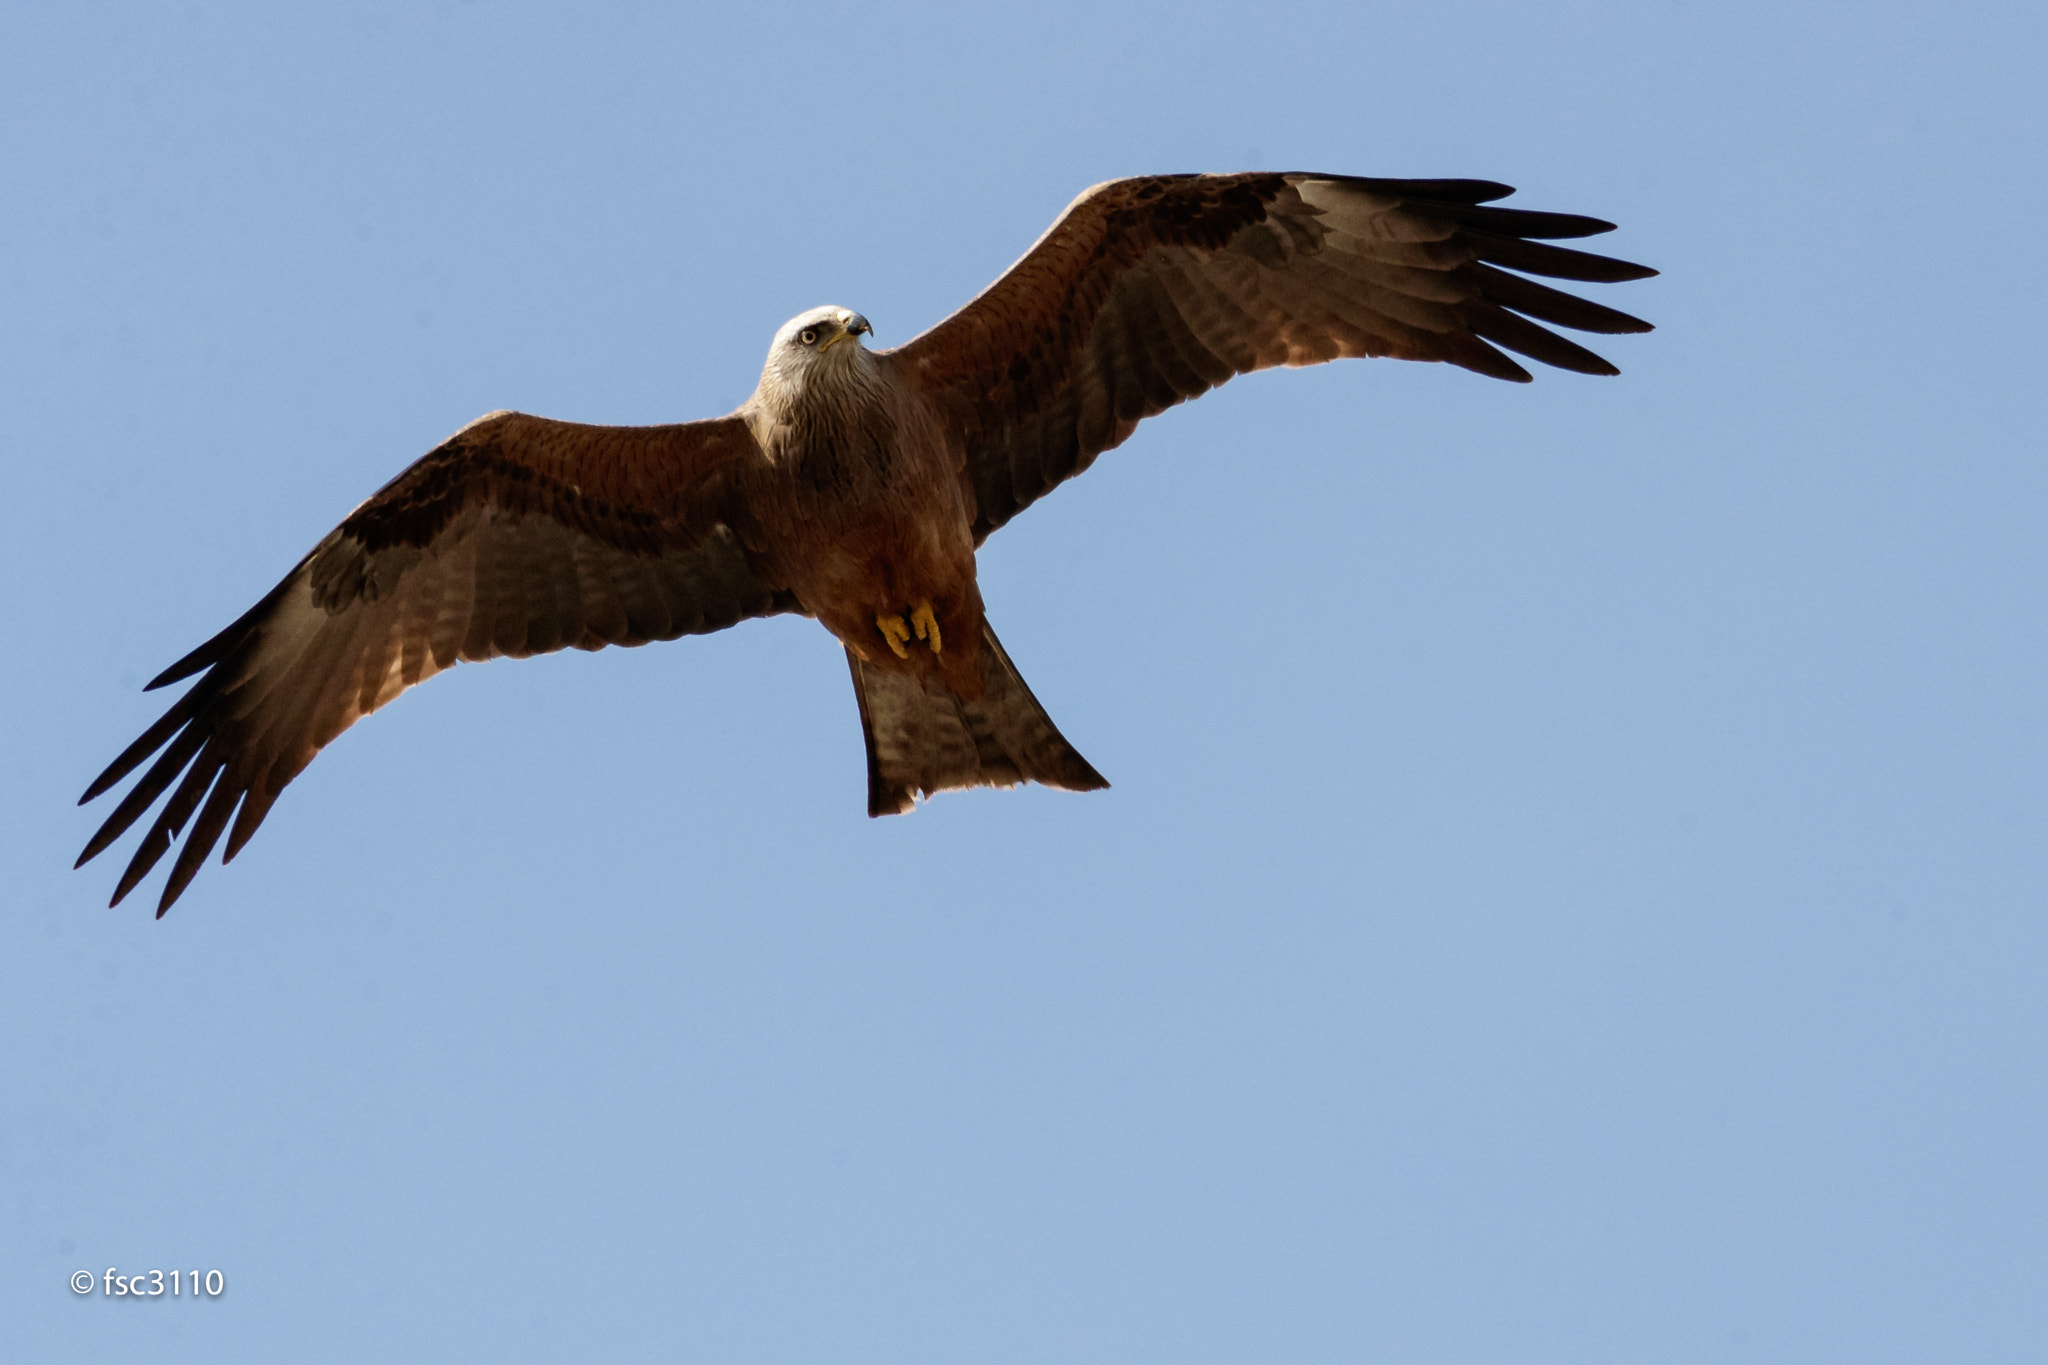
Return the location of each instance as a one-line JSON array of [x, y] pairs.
[[1152, 292]]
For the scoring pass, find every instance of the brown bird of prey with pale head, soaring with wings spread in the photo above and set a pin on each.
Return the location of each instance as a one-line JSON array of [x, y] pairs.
[[855, 486]]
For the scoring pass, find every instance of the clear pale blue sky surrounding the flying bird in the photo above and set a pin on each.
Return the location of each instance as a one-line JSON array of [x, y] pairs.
[[1576, 879]]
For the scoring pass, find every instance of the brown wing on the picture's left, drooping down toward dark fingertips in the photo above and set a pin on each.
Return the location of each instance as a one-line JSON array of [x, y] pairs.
[[517, 537]]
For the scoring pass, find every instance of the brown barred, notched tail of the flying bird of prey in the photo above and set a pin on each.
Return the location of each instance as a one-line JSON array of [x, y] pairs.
[[925, 740]]
